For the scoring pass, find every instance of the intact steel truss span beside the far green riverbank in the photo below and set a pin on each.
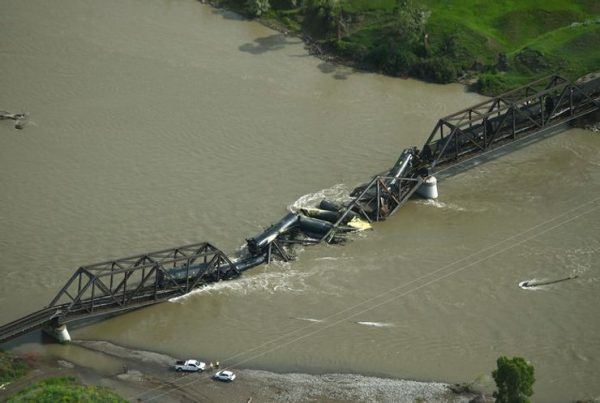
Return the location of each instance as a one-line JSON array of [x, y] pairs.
[[544, 103]]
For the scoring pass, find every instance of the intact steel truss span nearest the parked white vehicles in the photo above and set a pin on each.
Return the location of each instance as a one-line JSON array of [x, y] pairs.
[[136, 281]]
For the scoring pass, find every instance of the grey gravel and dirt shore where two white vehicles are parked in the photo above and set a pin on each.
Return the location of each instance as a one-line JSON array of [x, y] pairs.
[[147, 376]]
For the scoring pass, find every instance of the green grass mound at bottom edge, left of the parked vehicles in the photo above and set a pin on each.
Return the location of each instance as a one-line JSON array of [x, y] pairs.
[[64, 389]]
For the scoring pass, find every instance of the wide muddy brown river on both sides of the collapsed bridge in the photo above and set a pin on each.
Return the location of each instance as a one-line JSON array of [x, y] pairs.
[[160, 123]]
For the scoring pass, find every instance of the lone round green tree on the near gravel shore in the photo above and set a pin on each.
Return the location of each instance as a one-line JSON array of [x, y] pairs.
[[514, 378]]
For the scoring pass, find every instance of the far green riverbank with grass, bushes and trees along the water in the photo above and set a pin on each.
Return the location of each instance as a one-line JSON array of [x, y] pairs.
[[503, 44]]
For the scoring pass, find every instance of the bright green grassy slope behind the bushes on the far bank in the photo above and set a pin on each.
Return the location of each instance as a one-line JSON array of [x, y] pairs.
[[564, 33]]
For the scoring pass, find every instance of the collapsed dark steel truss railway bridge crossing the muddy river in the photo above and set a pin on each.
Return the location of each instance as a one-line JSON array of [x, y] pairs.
[[122, 285]]
